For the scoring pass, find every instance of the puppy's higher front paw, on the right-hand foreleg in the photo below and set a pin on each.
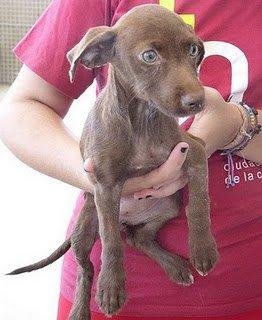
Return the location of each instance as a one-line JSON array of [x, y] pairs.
[[203, 254]]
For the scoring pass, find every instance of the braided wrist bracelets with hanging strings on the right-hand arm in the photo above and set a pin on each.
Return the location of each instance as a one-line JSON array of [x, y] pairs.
[[247, 131]]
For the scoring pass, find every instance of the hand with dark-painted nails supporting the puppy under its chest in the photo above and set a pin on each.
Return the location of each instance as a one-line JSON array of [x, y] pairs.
[[161, 182]]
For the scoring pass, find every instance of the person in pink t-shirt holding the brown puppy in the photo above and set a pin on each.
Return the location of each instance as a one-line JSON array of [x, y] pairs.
[[42, 91]]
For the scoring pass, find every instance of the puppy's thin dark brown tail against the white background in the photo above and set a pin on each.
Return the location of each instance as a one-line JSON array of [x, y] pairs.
[[45, 262]]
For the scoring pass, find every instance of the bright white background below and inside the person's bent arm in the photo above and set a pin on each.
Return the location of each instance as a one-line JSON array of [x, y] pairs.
[[34, 213]]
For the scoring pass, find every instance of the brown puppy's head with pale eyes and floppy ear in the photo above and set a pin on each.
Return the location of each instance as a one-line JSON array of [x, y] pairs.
[[153, 52]]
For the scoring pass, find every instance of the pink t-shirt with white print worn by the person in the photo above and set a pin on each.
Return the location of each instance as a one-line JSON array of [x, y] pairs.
[[232, 34]]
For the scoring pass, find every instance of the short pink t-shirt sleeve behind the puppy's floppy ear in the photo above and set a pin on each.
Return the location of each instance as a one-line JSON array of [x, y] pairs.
[[61, 26]]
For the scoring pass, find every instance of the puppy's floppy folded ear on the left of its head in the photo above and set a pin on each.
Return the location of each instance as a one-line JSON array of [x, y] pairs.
[[94, 50]]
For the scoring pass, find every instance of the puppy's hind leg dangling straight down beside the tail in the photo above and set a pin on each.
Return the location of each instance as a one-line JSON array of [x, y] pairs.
[[83, 238]]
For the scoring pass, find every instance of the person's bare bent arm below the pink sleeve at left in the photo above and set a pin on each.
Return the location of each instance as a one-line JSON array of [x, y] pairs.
[[31, 126]]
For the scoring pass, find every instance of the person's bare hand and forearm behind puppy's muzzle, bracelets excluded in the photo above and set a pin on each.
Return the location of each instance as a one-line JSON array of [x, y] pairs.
[[219, 124]]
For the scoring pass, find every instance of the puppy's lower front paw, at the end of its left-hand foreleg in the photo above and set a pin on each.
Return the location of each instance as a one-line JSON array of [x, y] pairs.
[[111, 293]]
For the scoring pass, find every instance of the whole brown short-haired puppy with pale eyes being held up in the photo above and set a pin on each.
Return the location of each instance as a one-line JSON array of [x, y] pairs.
[[130, 131]]
